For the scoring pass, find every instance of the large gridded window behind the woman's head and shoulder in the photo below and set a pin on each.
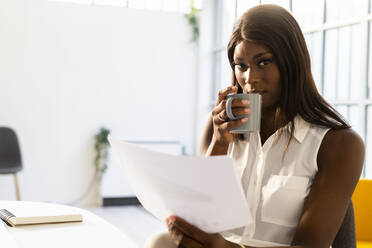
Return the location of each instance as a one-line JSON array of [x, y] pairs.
[[339, 38]]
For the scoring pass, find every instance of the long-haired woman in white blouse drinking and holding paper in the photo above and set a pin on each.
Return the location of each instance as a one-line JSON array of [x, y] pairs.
[[300, 170]]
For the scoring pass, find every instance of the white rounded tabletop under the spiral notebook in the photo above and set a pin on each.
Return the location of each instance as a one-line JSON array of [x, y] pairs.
[[92, 232]]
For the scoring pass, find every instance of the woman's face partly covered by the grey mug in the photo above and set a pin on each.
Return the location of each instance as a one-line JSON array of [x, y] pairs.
[[256, 71]]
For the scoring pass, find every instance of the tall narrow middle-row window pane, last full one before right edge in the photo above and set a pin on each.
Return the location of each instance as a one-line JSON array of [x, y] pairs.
[[357, 86]]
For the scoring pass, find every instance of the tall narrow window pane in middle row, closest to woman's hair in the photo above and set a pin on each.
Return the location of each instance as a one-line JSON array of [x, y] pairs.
[[330, 69]]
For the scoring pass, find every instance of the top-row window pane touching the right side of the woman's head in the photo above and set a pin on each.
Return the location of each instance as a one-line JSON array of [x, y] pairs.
[[308, 13]]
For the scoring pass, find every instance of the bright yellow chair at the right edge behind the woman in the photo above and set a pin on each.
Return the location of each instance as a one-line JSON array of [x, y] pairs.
[[362, 200]]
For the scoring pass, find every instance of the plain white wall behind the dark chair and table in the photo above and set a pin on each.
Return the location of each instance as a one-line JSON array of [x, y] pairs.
[[67, 69]]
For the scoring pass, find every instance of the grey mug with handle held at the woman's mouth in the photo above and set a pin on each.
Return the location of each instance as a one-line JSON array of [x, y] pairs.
[[254, 118]]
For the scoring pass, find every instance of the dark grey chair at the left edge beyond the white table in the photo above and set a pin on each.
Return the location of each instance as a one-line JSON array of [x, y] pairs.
[[10, 155]]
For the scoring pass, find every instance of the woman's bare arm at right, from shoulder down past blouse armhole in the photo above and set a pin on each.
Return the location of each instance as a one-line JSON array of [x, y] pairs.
[[340, 162]]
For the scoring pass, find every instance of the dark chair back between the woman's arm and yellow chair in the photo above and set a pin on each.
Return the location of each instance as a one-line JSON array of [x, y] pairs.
[[346, 237]]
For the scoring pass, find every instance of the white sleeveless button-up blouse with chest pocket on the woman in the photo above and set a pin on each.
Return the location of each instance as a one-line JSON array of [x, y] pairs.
[[275, 185]]
